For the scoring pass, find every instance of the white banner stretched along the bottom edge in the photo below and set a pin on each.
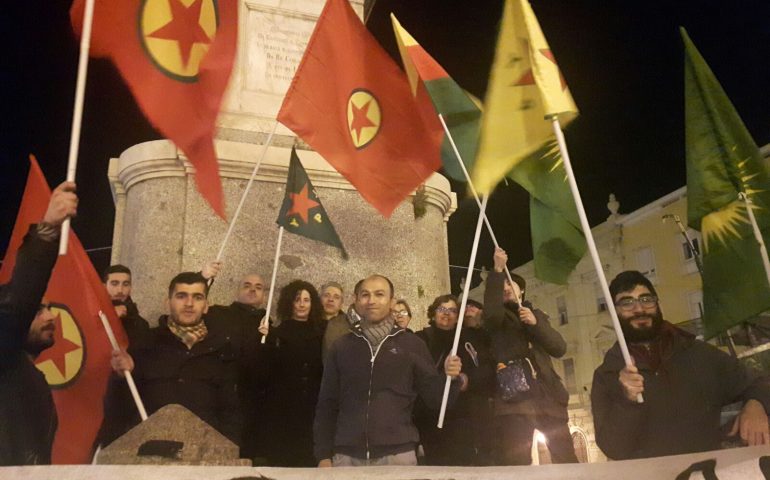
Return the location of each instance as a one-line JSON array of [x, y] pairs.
[[735, 464]]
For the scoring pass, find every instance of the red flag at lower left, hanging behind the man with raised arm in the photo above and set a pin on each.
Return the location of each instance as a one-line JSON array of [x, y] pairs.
[[77, 367]]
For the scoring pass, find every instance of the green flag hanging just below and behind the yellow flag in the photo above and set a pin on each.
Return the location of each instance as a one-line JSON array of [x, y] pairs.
[[558, 242]]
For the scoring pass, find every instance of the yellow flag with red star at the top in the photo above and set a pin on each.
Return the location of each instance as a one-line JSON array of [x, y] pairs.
[[525, 89]]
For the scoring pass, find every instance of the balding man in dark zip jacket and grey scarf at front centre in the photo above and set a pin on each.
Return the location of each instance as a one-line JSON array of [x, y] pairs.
[[371, 380]]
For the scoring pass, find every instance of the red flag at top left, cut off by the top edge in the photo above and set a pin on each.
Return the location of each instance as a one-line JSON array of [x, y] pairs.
[[176, 57]]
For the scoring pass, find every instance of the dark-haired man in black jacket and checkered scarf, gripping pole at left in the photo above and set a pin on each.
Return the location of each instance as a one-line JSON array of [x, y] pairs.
[[186, 363]]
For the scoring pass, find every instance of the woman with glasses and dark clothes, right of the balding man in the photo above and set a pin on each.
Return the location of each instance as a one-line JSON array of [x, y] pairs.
[[456, 443]]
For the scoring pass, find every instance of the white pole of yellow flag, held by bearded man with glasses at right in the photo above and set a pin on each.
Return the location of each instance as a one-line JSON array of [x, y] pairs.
[[592, 245]]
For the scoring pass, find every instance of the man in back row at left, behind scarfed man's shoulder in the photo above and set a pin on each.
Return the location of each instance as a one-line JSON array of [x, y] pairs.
[[118, 282]]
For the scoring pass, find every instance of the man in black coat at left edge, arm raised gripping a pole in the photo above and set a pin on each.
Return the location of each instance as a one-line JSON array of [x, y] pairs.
[[27, 415]]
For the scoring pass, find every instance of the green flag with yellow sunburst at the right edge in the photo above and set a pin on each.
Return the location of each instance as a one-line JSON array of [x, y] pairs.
[[722, 161]]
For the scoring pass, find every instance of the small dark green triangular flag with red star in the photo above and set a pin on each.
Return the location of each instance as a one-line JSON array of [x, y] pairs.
[[302, 212]]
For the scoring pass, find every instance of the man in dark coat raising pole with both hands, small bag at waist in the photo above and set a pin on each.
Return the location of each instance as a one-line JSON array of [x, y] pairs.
[[522, 336]]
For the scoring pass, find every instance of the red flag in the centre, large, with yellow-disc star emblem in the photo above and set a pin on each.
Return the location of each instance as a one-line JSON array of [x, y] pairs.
[[353, 105]]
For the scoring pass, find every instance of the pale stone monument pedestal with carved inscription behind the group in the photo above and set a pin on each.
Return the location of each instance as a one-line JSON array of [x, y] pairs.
[[162, 226]]
